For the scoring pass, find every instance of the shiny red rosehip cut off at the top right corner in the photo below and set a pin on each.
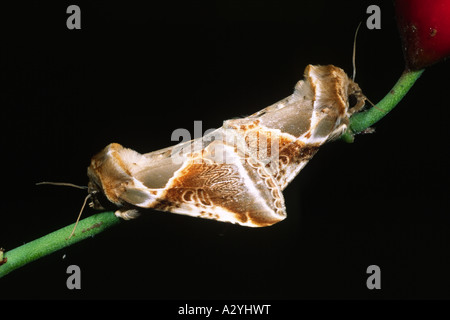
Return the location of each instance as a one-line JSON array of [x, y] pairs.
[[424, 27]]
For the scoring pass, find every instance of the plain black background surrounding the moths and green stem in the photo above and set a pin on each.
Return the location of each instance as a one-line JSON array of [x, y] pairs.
[[135, 73]]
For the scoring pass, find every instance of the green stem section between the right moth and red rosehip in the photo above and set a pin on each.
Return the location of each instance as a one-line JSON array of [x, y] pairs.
[[364, 120]]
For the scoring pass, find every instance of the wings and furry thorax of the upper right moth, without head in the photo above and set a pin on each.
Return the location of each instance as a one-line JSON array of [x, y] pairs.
[[299, 124]]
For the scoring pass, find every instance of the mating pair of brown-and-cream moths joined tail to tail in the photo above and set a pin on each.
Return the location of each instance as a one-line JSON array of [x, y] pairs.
[[236, 173]]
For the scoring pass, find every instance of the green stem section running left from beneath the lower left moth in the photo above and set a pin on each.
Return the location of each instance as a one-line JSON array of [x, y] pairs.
[[56, 240]]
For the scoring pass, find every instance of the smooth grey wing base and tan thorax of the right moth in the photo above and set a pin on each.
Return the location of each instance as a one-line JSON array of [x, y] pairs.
[[313, 109]]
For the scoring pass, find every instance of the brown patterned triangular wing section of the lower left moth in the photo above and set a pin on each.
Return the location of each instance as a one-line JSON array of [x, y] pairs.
[[218, 183]]
